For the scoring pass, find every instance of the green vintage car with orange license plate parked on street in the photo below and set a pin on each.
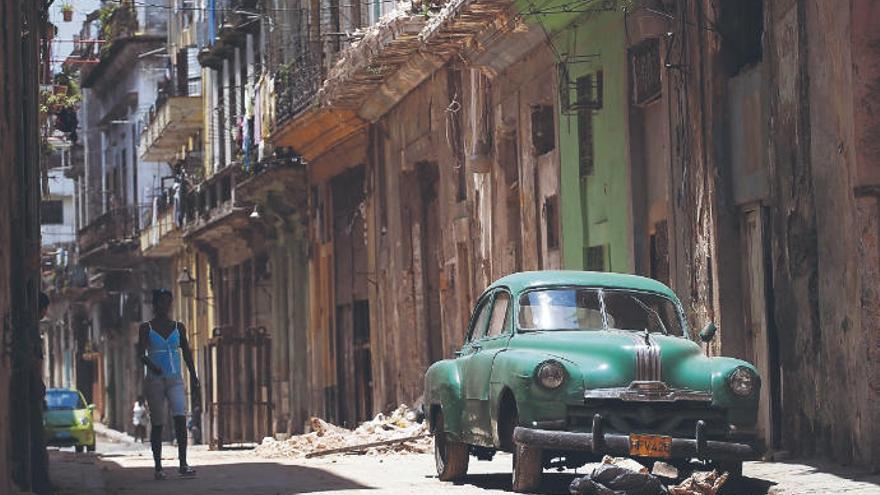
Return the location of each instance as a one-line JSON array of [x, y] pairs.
[[562, 367]]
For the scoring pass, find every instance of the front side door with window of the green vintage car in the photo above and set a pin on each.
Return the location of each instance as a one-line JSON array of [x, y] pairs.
[[494, 325]]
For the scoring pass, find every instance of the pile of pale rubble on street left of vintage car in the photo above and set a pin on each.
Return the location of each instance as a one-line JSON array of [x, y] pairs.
[[398, 432]]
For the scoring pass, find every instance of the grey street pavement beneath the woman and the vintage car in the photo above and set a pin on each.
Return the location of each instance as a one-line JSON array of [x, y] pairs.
[[126, 469]]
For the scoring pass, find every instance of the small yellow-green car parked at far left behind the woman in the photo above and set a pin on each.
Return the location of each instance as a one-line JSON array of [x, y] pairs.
[[68, 420]]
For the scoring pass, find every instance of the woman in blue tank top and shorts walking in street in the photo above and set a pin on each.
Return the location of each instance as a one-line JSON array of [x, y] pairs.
[[161, 343]]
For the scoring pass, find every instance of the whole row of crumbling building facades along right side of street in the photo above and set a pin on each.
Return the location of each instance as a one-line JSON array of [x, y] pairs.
[[357, 174]]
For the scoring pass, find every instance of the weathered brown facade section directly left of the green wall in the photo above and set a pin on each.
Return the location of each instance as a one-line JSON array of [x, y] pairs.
[[457, 195]]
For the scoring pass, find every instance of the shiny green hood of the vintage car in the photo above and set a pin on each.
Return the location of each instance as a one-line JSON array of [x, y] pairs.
[[607, 359]]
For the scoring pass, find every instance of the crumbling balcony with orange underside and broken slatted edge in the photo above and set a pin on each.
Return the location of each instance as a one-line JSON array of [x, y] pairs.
[[367, 79]]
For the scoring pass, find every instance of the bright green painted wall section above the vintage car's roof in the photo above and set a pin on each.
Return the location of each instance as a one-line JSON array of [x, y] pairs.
[[595, 208]]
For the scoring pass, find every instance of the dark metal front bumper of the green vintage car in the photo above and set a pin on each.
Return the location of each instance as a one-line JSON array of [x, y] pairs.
[[598, 442]]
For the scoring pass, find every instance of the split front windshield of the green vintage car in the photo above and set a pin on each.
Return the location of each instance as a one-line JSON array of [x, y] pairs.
[[598, 309]]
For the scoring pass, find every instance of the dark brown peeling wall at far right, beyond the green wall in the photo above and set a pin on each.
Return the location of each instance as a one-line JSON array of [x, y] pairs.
[[819, 191]]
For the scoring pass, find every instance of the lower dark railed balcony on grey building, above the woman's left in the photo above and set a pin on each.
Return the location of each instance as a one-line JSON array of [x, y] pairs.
[[110, 239]]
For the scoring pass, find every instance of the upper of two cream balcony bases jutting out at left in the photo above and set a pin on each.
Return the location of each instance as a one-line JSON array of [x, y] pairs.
[[173, 123]]
